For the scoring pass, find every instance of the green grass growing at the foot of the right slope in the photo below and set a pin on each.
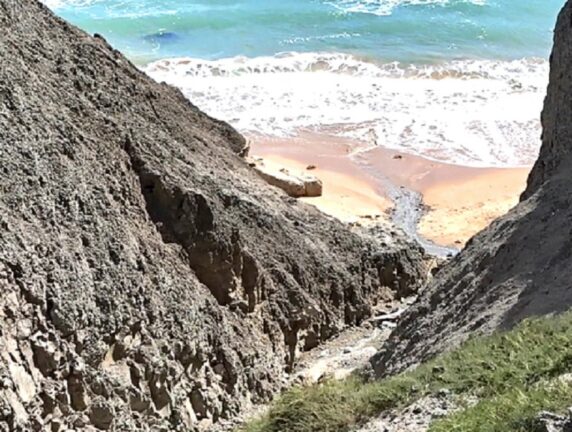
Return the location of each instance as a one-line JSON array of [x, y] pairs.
[[511, 373]]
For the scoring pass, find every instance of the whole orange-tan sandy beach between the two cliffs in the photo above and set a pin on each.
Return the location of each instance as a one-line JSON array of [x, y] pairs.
[[460, 201]]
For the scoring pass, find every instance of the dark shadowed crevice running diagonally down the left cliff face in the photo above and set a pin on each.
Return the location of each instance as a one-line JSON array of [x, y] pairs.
[[185, 218]]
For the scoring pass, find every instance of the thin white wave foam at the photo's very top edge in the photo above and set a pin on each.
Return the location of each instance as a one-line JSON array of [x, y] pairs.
[[386, 7]]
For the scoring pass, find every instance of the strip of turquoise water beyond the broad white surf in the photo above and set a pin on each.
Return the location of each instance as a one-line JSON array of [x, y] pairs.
[[414, 30]]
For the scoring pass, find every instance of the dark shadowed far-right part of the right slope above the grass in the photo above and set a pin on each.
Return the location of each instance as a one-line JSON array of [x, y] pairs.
[[540, 249]]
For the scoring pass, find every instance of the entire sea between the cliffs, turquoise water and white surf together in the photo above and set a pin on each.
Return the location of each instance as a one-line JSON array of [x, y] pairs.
[[456, 80]]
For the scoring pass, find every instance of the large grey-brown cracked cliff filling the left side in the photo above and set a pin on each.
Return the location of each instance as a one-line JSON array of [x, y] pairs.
[[150, 279]]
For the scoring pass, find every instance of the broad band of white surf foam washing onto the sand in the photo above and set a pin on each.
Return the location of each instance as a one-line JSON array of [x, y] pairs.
[[473, 112]]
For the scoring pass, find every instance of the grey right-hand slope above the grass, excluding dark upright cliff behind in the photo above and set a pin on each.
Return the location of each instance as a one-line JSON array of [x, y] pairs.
[[521, 266]]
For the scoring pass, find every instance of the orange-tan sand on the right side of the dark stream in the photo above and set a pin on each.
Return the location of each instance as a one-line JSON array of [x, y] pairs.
[[461, 200]]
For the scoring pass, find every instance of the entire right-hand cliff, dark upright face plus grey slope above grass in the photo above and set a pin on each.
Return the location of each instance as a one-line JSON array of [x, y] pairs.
[[521, 265]]
